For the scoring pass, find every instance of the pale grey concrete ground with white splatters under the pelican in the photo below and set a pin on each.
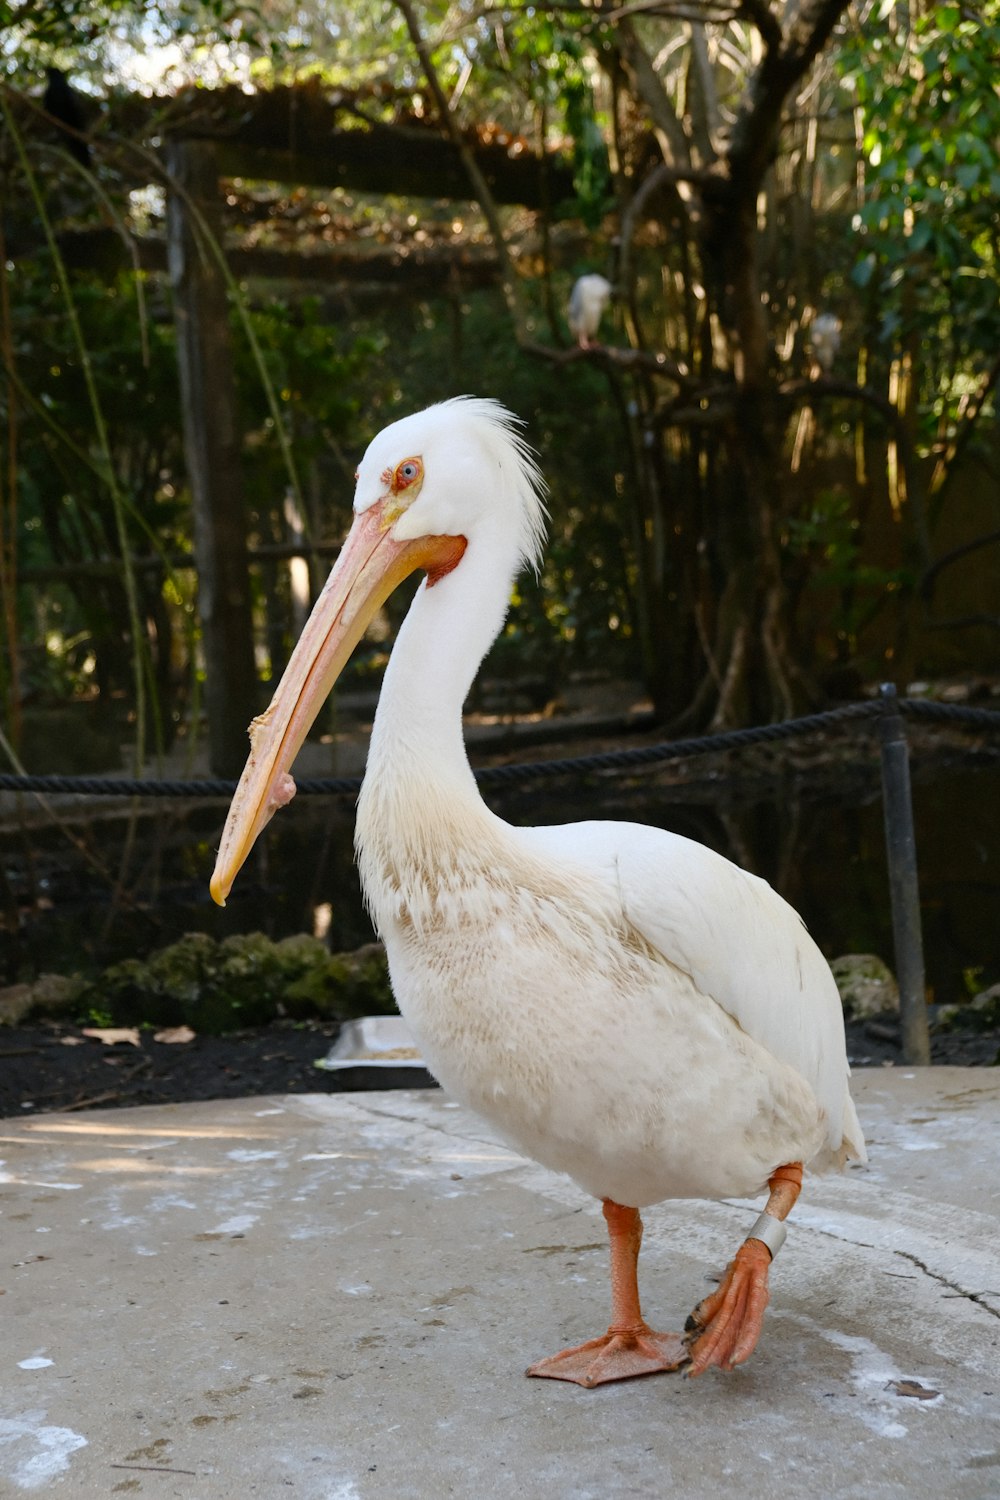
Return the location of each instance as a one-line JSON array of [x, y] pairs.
[[335, 1297]]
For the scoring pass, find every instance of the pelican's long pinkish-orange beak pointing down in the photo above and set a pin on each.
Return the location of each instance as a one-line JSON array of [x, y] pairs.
[[371, 565]]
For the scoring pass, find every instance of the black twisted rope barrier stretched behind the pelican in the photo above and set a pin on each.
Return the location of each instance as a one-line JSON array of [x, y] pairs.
[[533, 770]]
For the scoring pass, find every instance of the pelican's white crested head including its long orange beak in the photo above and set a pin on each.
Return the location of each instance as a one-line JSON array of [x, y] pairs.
[[430, 487]]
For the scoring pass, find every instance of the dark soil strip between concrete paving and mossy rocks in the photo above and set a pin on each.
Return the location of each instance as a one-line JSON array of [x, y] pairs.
[[53, 1067]]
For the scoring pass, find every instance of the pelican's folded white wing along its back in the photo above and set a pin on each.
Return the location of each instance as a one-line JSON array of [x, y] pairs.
[[743, 946]]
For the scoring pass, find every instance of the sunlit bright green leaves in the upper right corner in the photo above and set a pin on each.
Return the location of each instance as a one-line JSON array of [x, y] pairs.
[[929, 226]]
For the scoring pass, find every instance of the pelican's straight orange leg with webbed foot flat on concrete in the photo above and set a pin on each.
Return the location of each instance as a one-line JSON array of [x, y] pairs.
[[630, 1348]]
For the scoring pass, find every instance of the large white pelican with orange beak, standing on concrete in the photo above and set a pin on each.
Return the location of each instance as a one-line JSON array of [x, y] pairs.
[[623, 1004]]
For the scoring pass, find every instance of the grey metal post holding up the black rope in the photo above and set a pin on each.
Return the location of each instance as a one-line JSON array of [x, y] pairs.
[[903, 884]]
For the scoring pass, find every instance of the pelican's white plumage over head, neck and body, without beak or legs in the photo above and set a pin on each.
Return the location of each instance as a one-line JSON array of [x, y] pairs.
[[623, 1004]]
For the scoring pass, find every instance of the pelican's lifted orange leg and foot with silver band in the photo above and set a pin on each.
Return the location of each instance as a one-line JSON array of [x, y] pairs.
[[725, 1328]]
